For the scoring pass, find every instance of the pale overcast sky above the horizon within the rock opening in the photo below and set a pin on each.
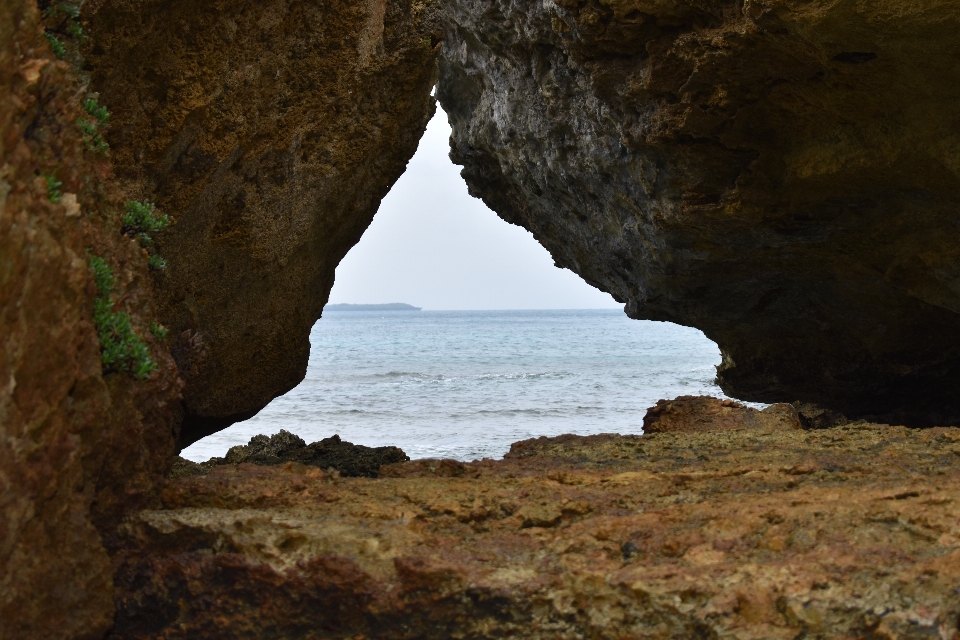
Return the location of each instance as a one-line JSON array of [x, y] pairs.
[[434, 246]]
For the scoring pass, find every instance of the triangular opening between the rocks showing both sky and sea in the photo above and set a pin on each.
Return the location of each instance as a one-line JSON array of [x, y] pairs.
[[506, 345]]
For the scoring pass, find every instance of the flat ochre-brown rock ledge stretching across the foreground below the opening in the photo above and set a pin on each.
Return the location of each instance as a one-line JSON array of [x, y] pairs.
[[721, 522]]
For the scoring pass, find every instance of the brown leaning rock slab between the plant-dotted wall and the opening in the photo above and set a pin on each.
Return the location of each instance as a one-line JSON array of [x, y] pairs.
[[269, 132]]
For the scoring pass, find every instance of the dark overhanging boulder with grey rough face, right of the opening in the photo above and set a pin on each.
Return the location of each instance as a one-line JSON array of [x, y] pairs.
[[782, 174]]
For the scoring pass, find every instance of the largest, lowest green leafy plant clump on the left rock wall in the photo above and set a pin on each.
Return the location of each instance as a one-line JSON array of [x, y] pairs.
[[121, 349]]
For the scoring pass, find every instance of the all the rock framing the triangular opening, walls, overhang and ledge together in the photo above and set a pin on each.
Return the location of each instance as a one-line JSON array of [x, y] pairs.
[[779, 173]]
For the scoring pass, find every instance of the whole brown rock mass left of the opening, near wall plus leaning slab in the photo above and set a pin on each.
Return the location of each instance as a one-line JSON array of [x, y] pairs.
[[269, 178]]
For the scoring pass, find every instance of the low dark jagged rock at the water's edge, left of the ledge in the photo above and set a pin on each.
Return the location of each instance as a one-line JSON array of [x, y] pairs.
[[330, 454]]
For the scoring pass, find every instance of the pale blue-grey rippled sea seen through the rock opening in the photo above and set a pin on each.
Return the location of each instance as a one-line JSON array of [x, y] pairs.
[[466, 384]]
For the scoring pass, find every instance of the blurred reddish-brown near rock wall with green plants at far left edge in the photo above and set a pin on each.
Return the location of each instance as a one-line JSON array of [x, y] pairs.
[[77, 448]]
